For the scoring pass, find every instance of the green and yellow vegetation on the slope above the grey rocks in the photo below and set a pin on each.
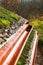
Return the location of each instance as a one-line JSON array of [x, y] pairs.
[[7, 17]]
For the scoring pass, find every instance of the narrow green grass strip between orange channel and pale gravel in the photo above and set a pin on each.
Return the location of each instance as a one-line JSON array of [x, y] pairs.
[[24, 54]]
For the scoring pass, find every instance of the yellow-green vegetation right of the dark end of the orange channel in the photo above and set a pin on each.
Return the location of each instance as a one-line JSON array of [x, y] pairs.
[[38, 25]]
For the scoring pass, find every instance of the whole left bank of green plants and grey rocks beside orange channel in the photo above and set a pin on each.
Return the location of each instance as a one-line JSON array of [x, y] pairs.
[[9, 24]]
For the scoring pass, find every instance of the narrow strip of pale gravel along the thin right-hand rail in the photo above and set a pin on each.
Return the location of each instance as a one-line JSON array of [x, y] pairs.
[[28, 60]]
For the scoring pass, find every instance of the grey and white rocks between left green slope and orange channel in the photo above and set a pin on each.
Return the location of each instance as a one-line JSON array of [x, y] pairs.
[[5, 33]]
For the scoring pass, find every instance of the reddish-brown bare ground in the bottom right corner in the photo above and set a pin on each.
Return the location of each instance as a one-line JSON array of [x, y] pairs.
[[39, 56]]
